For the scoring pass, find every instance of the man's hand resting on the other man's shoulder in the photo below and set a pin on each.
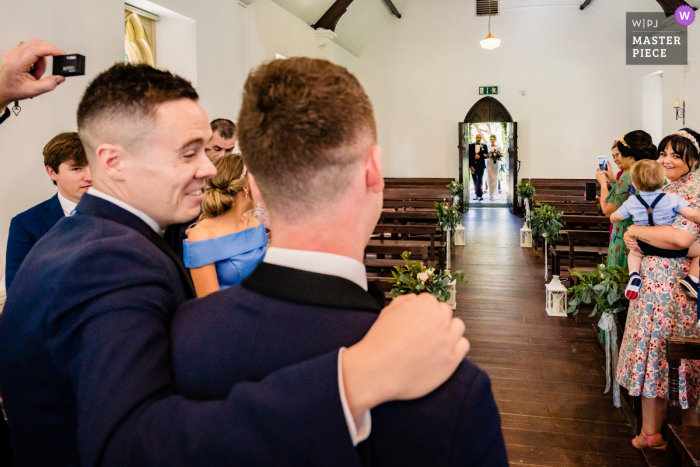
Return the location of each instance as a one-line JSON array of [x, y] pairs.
[[414, 346]]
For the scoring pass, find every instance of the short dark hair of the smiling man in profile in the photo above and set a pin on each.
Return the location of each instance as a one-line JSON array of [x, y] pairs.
[[122, 97]]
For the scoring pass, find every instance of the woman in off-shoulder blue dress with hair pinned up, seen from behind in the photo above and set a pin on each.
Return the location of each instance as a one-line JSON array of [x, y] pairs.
[[226, 244]]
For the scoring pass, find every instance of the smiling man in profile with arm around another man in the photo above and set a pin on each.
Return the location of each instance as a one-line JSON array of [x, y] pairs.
[[85, 346]]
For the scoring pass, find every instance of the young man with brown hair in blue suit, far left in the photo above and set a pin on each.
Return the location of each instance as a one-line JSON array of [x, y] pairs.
[[66, 164]]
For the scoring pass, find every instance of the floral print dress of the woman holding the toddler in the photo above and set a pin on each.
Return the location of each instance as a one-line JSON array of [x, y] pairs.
[[662, 310]]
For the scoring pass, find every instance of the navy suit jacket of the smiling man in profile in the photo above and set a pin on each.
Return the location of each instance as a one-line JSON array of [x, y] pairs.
[[86, 374]]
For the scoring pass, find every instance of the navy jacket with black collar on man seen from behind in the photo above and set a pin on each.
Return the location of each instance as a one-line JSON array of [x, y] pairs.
[[279, 316]]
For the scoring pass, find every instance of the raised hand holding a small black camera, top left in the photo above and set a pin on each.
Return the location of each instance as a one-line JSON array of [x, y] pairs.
[[21, 71]]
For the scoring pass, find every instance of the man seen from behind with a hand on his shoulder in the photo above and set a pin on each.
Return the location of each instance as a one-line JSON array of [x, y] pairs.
[[308, 137]]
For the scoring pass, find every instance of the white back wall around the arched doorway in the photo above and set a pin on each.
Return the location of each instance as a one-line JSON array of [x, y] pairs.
[[423, 72]]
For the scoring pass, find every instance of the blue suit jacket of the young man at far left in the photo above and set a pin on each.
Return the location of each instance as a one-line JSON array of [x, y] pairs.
[[26, 229]]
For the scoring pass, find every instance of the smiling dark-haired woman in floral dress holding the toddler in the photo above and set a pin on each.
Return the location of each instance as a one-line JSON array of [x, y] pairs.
[[662, 309]]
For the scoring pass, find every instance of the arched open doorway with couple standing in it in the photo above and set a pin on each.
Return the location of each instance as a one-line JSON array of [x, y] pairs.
[[488, 120]]
